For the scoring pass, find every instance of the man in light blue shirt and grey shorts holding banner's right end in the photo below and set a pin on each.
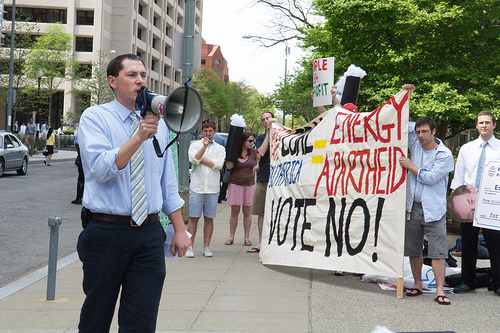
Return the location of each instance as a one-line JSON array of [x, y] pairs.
[[431, 162]]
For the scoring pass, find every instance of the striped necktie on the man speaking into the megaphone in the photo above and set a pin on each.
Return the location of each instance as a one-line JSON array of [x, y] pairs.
[[138, 186]]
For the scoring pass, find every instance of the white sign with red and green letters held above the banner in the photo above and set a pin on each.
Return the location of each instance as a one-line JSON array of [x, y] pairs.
[[322, 81]]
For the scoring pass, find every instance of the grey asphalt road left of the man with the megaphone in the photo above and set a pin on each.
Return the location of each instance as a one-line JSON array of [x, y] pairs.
[[26, 203]]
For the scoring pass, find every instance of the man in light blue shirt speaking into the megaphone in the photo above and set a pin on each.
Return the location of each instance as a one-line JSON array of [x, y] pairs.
[[118, 253]]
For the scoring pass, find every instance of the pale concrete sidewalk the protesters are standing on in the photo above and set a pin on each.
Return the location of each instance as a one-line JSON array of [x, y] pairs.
[[234, 292]]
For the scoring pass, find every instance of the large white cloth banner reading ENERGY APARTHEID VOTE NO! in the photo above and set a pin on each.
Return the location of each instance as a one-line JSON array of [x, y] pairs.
[[336, 192]]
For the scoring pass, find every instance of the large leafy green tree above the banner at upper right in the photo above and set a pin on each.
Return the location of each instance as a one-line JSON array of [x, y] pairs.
[[448, 49]]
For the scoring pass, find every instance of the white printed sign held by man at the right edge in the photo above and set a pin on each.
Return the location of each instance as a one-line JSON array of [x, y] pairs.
[[487, 213]]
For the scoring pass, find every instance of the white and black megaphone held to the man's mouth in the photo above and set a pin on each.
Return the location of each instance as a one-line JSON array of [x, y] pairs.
[[179, 118]]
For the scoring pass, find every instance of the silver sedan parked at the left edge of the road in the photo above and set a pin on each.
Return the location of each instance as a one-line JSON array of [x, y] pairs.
[[14, 155]]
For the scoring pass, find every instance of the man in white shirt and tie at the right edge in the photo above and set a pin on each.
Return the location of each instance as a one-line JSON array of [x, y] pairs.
[[471, 159]]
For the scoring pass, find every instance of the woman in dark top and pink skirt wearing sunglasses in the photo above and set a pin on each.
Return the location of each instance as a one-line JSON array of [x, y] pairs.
[[241, 187]]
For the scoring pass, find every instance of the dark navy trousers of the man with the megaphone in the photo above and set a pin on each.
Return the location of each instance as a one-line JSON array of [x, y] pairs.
[[118, 256]]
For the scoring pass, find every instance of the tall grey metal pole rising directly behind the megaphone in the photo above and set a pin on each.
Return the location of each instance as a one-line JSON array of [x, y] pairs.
[[187, 74]]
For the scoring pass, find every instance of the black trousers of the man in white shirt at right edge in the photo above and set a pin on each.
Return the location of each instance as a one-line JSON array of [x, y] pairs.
[[470, 236]]
